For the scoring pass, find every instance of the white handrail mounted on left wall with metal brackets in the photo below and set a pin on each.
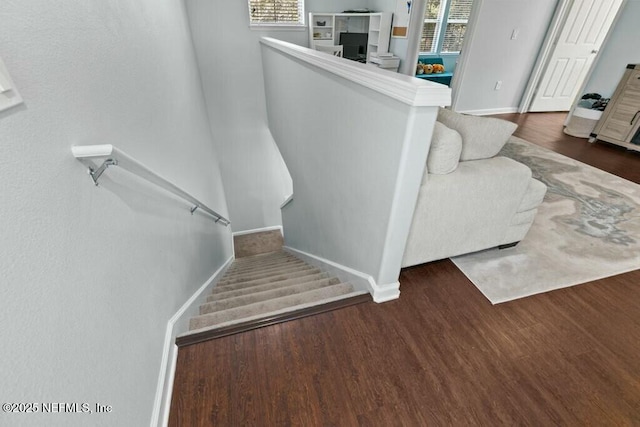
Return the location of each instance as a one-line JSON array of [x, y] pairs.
[[114, 157]]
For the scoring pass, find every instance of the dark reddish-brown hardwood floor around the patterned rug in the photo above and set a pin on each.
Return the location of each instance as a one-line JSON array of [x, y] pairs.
[[439, 355]]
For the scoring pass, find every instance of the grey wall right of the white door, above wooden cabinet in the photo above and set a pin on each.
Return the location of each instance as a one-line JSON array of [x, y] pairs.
[[621, 48]]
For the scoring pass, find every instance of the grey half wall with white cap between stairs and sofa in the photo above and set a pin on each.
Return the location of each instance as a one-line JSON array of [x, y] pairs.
[[357, 163]]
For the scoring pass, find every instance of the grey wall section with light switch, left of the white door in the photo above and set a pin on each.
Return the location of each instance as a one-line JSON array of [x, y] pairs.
[[493, 56]]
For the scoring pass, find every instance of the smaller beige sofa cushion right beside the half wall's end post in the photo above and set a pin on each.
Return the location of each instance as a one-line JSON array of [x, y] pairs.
[[444, 153]]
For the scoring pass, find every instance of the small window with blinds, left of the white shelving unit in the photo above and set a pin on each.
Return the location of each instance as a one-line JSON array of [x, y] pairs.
[[276, 12]]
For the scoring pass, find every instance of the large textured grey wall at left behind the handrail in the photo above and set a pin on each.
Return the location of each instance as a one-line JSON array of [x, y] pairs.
[[90, 276]]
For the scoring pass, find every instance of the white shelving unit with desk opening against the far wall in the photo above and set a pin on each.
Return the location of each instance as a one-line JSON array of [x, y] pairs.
[[325, 29]]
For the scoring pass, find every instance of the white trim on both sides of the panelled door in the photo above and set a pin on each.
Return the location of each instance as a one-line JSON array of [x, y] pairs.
[[555, 28]]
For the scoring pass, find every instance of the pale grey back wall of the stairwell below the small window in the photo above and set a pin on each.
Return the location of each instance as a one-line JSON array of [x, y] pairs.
[[228, 52]]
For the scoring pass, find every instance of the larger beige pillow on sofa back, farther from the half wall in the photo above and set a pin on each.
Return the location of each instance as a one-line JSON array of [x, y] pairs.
[[482, 137]]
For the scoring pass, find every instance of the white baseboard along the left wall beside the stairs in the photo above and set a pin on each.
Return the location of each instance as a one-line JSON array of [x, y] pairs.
[[162, 403]]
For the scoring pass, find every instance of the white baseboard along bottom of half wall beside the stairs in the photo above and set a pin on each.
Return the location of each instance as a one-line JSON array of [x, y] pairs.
[[360, 281]]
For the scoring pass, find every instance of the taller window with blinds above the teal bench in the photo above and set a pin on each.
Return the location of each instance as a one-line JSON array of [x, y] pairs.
[[445, 22]]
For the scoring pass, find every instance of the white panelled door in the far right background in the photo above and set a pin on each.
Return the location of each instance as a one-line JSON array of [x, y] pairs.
[[585, 29]]
